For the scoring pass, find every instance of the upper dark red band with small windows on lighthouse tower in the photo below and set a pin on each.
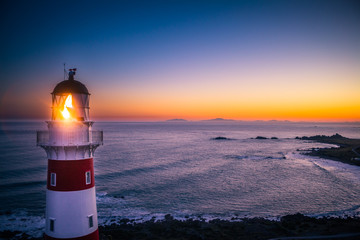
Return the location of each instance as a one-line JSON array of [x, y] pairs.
[[70, 175]]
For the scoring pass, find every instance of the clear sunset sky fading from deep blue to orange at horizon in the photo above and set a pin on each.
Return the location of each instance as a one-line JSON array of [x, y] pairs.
[[157, 60]]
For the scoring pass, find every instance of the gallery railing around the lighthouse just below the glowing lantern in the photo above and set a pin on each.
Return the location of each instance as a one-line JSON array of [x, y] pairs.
[[70, 138]]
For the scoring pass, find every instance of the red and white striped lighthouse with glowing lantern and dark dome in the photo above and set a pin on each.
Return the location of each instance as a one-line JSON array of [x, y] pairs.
[[70, 144]]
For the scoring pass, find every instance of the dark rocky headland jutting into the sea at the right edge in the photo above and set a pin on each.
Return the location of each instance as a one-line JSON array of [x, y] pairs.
[[347, 152]]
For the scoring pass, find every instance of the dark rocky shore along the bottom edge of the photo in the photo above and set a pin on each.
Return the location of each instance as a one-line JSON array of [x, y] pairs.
[[248, 228]]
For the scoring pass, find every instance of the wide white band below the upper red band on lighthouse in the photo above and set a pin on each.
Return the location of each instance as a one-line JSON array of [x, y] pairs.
[[71, 214]]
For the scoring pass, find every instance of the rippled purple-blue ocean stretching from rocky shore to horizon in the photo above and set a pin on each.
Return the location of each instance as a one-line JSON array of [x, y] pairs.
[[146, 170]]
